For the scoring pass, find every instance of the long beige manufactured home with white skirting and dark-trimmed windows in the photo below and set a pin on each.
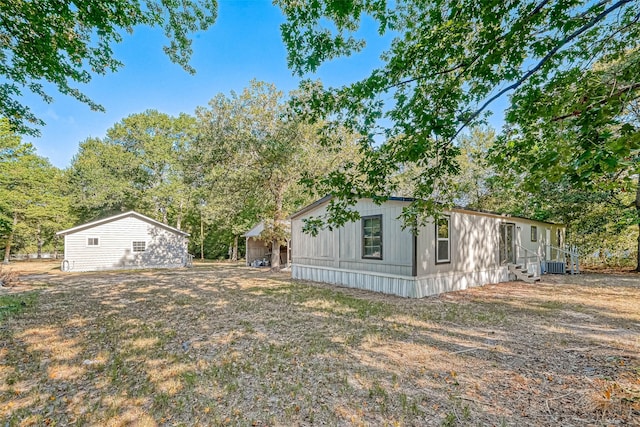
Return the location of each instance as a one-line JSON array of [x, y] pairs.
[[464, 248]]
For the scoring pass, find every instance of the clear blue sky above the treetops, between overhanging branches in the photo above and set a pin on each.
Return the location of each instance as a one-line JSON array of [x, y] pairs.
[[243, 44]]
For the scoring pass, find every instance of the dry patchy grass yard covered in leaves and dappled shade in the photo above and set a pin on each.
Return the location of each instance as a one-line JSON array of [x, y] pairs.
[[226, 345]]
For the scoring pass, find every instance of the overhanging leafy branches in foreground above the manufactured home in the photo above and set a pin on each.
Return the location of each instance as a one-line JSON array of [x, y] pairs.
[[447, 63]]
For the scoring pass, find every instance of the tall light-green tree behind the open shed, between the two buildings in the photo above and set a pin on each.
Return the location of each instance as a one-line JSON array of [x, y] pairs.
[[254, 154]]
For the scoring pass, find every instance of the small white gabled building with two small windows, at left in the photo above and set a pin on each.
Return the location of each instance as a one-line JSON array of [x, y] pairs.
[[124, 241]]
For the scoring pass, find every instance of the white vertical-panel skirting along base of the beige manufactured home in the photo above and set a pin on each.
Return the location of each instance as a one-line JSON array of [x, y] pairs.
[[404, 286]]
